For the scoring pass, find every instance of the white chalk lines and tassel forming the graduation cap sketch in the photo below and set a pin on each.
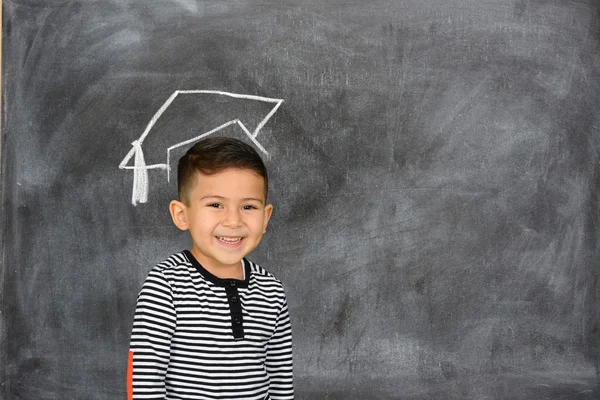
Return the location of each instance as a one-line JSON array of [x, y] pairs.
[[139, 167]]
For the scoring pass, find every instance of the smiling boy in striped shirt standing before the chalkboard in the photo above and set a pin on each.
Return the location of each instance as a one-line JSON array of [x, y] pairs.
[[210, 324]]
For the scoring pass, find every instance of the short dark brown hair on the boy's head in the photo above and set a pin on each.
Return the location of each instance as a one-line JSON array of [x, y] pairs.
[[212, 155]]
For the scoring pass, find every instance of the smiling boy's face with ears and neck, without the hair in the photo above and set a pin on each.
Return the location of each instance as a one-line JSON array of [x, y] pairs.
[[226, 217]]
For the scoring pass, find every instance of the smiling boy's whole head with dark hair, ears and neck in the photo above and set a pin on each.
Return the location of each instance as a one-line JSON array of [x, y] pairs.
[[222, 185]]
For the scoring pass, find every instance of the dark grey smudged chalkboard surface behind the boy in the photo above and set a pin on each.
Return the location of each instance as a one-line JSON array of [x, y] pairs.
[[435, 172]]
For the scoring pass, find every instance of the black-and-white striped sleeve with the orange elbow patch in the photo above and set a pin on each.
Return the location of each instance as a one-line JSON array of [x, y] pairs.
[[153, 327]]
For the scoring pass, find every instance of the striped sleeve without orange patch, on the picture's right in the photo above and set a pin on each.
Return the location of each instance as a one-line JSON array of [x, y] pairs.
[[279, 358]]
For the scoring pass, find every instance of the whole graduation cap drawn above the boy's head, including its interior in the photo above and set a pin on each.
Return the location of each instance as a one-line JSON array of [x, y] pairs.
[[183, 120]]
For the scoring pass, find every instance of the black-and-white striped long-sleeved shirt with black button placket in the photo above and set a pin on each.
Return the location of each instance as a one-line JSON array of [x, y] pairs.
[[196, 336]]
